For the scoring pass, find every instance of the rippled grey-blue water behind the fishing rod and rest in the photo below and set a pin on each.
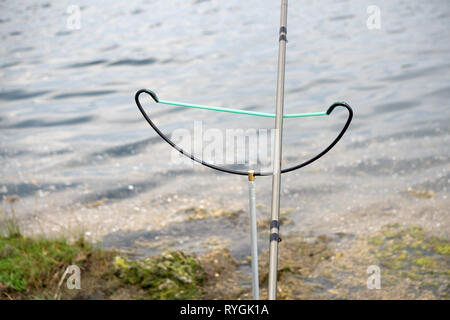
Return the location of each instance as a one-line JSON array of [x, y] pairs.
[[71, 135]]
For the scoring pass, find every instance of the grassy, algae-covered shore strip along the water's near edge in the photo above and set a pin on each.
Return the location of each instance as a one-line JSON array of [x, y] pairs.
[[413, 263]]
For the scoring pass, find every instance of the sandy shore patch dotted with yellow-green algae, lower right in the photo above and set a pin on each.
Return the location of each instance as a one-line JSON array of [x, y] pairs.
[[413, 264]]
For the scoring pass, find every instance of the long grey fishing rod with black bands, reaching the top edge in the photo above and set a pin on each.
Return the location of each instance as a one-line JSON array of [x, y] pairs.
[[276, 179]]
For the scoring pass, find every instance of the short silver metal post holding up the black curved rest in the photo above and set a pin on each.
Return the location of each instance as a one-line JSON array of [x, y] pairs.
[[254, 233]]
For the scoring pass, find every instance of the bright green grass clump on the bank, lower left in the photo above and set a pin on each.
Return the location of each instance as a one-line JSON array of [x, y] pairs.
[[28, 265]]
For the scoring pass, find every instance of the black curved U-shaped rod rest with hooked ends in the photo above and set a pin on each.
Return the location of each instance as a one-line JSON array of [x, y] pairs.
[[239, 172]]
